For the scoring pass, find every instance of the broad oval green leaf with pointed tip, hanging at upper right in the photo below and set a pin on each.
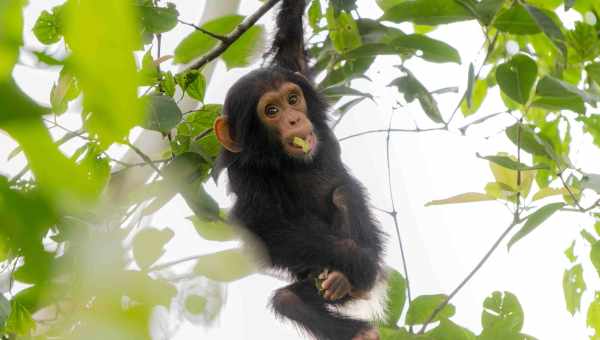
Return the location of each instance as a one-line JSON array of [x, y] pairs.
[[516, 77]]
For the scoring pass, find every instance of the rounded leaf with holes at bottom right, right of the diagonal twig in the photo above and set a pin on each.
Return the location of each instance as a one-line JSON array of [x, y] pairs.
[[502, 310]]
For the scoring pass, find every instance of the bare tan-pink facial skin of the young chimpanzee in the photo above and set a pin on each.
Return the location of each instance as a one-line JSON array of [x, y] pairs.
[[284, 110]]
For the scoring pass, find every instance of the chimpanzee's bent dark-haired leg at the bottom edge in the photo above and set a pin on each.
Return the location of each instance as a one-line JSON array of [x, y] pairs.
[[301, 303]]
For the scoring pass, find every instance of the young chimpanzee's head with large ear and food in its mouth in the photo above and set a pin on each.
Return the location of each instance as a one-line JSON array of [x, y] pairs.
[[272, 116]]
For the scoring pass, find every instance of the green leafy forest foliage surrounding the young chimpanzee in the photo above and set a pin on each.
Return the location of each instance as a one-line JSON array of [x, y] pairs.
[[70, 240]]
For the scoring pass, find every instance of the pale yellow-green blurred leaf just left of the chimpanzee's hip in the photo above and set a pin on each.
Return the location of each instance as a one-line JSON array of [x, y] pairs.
[[225, 266]]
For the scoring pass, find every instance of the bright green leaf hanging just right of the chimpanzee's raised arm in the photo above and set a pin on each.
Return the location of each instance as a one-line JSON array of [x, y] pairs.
[[343, 31]]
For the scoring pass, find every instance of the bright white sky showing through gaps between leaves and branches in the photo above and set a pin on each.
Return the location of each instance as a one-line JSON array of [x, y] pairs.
[[442, 243]]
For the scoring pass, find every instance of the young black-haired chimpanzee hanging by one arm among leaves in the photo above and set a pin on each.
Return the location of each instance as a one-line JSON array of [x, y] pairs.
[[293, 192]]
